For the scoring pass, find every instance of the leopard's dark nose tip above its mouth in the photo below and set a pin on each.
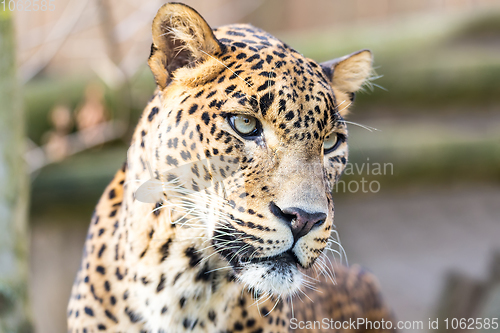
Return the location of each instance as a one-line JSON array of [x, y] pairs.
[[300, 221]]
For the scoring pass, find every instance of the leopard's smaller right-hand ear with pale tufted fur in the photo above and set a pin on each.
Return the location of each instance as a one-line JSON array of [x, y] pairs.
[[348, 74]]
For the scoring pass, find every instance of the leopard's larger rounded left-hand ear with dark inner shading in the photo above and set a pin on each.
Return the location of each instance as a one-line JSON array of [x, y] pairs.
[[181, 38]]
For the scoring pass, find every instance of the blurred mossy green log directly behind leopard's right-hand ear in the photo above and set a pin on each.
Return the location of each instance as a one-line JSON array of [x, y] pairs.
[[439, 63]]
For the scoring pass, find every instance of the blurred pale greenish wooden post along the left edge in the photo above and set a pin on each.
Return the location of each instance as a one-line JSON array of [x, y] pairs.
[[14, 308]]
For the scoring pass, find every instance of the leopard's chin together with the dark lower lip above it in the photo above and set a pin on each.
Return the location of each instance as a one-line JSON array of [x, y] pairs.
[[278, 275]]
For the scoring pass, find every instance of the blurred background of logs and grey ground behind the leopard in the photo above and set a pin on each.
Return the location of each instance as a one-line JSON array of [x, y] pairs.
[[429, 230]]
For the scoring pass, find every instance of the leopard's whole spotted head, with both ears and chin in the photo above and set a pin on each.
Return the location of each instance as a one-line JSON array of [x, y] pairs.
[[248, 143]]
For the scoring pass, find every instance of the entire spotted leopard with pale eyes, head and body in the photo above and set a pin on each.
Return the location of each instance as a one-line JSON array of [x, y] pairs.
[[222, 217]]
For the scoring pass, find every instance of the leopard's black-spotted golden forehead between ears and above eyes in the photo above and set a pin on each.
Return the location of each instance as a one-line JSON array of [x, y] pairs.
[[257, 74]]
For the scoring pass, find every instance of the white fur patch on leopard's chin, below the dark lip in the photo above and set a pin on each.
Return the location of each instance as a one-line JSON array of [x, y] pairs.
[[283, 280]]
